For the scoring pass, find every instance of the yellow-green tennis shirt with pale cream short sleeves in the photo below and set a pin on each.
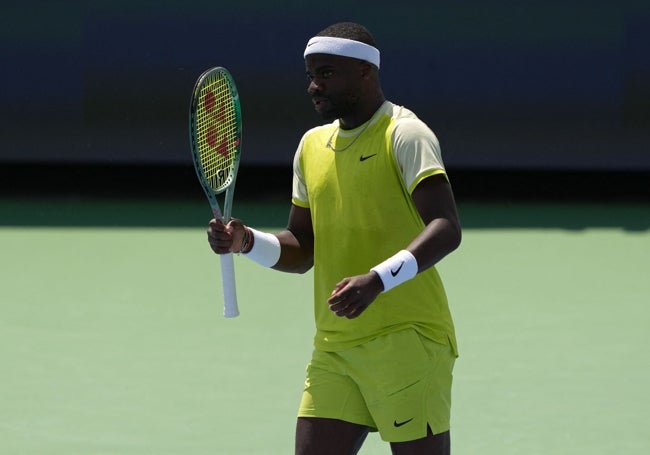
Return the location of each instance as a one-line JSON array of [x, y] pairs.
[[358, 191]]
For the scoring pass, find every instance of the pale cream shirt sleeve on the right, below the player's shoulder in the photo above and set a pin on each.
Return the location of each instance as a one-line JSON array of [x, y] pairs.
[[417, 152]]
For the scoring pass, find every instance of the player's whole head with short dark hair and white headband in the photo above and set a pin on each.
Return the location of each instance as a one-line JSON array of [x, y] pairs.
[[342, 63]]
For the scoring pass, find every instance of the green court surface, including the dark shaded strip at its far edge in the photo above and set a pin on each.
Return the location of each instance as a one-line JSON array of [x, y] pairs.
[[112, 340]]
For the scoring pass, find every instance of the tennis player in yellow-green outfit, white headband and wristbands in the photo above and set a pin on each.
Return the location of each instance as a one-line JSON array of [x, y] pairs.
[[372, 212]]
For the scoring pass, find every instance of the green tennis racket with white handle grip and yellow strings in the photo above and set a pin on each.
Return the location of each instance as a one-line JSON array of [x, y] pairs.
[[215, 140]]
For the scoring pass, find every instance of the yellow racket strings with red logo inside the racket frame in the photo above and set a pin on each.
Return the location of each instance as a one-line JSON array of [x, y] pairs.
[[216, 131]]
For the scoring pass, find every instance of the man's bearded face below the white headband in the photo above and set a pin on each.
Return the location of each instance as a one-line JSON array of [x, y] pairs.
[[334, 84]]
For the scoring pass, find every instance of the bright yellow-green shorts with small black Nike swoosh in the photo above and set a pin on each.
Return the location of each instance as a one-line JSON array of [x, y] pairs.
[[396, 384]]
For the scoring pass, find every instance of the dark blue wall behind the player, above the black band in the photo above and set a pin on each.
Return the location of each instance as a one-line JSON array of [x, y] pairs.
[[506, 85]]
